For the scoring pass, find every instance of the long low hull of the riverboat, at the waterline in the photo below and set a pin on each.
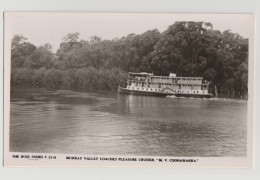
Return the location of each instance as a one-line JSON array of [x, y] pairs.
[[162, 94]]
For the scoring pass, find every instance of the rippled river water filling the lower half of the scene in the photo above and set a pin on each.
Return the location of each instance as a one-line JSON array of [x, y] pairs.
[[74, 122]]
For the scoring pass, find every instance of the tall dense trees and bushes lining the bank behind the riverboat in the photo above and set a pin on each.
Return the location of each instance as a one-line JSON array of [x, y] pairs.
[[185, 48]]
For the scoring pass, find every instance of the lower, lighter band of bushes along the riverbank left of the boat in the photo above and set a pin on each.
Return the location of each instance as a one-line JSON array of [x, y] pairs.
[[89, 79]]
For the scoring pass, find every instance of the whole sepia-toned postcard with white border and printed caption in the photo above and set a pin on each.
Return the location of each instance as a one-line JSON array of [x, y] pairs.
[[117, 88]]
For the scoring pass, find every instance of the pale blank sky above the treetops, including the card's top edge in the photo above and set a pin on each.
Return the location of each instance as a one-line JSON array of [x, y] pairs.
[[41, 28]]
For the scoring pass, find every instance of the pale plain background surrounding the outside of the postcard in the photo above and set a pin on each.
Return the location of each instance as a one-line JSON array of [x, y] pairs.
[[198, 6]]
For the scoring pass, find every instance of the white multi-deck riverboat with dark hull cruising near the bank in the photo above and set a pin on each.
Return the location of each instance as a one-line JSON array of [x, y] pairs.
[[148, 84]]
